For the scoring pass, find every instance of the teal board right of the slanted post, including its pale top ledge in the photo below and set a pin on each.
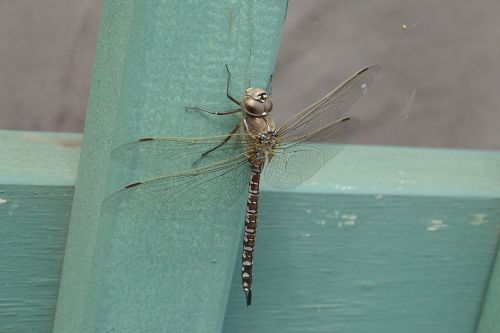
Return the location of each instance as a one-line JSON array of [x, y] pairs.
[[381, 240]]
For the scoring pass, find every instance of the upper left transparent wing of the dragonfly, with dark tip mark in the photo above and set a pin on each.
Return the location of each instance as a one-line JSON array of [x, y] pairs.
[[157, 155]]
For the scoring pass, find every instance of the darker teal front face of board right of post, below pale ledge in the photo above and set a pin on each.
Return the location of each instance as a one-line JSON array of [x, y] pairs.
[[361, 263]]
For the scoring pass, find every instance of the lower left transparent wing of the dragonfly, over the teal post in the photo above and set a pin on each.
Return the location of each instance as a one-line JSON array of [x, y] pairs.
[[182, 195]]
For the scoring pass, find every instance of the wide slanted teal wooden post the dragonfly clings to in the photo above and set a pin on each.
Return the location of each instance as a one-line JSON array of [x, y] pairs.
[[154, 58]]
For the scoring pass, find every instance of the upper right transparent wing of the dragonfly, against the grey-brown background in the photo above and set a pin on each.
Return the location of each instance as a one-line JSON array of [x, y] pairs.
[[330, 108]]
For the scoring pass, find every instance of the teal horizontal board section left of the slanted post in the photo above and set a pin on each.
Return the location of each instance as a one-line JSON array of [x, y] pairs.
[[37, 174]]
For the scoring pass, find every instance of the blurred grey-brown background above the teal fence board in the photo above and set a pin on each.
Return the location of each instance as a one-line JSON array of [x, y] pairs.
[[439, 85]]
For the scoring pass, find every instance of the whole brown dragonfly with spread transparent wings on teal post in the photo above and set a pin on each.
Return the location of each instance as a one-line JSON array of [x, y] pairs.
[[200, 167]]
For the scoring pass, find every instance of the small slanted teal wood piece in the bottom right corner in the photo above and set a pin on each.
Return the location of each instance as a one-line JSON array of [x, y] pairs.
[[490, 313]]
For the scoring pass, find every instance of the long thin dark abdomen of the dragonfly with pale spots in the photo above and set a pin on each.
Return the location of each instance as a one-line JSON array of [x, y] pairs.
[[250, 229]]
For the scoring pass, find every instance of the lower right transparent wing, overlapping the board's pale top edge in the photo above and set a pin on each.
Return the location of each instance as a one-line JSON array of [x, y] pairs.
[[298, 160]]
